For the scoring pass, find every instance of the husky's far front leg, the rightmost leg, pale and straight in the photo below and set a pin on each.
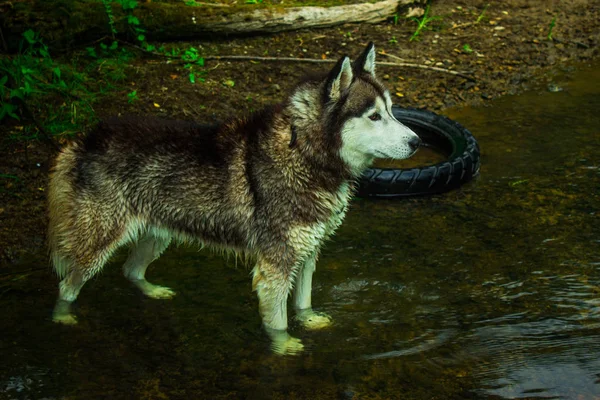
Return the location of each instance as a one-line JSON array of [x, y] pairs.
[[302, 298]]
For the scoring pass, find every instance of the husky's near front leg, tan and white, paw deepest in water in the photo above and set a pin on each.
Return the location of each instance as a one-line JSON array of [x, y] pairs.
[[273, 285]]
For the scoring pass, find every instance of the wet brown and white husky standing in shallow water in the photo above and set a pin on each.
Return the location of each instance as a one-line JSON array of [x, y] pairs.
[[273, 185]]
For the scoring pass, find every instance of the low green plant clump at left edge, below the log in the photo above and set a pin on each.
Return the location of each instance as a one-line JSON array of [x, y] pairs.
[[60, 93]]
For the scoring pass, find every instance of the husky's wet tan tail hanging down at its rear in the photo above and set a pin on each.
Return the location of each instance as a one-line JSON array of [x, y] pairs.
[[61, 208]]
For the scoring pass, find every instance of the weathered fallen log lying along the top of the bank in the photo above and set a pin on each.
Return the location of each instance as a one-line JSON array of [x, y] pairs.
[[71, 22]]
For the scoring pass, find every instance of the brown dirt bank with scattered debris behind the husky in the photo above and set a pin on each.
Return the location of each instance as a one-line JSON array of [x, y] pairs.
[[507, 52]]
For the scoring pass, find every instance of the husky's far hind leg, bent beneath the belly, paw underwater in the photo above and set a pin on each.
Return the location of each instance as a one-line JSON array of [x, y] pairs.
[[141, 254]]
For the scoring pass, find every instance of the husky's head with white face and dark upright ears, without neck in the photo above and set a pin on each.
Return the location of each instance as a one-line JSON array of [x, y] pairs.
[[368, 128]]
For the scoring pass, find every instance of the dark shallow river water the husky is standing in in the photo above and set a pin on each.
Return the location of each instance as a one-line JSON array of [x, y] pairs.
[[488, 292]]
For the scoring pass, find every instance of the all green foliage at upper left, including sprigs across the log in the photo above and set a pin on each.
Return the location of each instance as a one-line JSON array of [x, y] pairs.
[[58, 96]]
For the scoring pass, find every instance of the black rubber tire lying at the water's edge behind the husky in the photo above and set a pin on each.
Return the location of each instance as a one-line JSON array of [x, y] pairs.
[[440, 133]]
